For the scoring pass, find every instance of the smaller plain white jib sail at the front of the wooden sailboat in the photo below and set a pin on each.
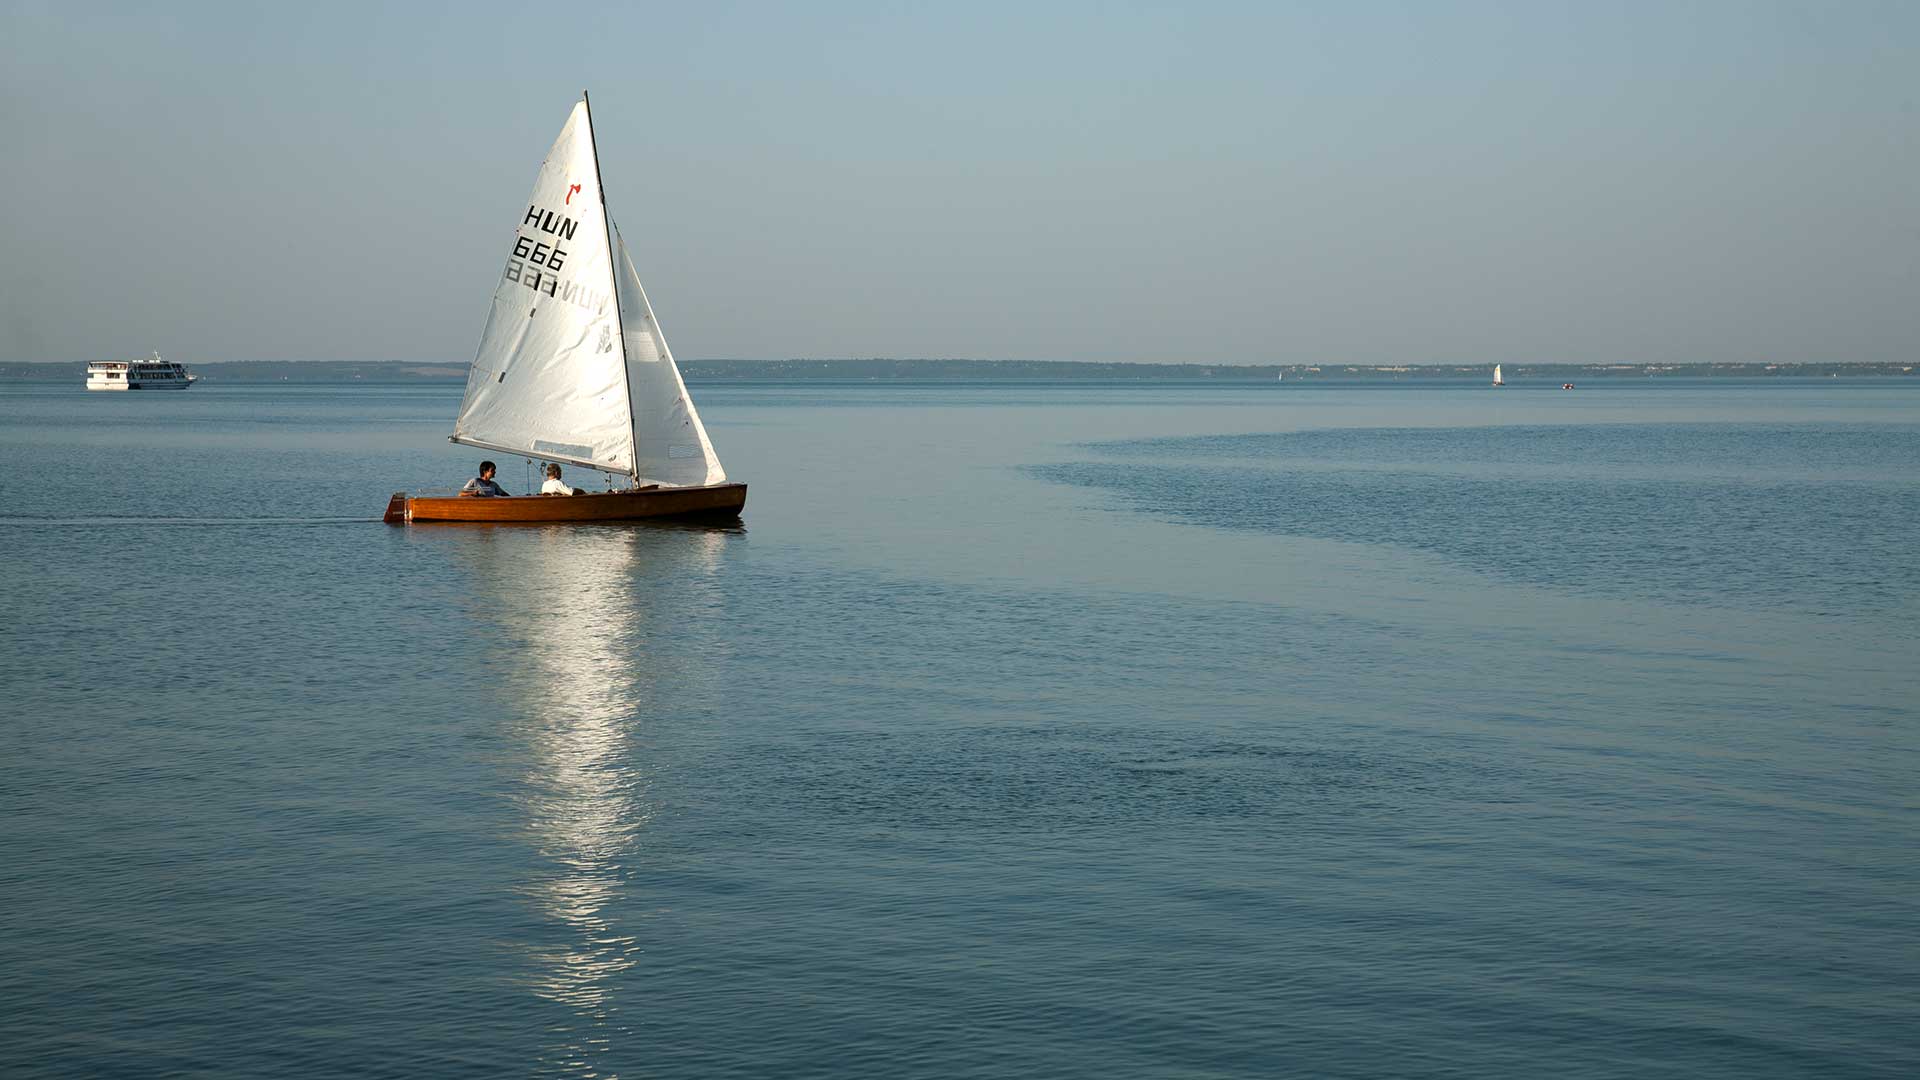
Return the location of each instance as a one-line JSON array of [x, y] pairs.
[[671, 443]]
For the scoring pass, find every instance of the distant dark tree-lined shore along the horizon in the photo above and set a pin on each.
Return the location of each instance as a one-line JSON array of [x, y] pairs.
[[1015, 370]]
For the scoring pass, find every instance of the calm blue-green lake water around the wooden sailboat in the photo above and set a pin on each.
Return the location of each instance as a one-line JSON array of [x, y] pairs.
[[1019, 731]]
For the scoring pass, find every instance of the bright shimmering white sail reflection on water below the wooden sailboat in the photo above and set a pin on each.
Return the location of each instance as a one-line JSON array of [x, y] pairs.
[[596, 620]]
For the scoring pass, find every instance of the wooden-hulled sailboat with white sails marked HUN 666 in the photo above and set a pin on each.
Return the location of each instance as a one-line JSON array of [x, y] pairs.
[[573, 368]]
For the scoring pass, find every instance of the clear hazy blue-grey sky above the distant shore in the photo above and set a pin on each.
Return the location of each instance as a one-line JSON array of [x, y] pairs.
[[1364, 184]]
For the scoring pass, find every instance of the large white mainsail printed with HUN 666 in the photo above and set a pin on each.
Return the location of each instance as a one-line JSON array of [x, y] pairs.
[[550, 378]]
